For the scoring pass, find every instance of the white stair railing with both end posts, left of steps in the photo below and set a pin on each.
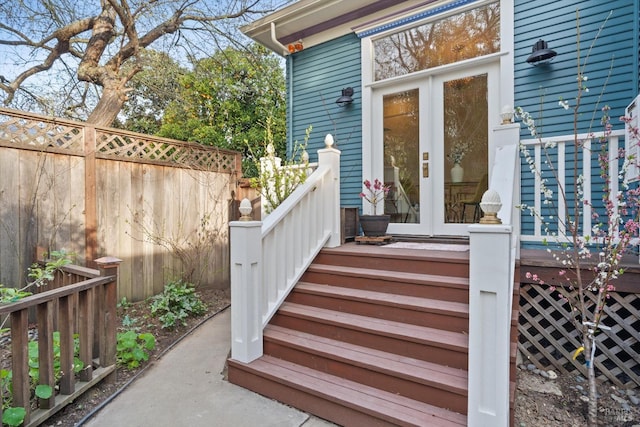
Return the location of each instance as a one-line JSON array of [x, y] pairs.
[[268, 258]]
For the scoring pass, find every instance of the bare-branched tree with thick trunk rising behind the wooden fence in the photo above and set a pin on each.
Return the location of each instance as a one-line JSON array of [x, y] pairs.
[[88, 52]]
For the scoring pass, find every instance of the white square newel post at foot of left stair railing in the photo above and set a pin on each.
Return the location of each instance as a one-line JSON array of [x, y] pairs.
[[246, 290]]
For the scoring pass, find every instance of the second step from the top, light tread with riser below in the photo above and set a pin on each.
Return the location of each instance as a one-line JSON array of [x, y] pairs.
[[446, 315]]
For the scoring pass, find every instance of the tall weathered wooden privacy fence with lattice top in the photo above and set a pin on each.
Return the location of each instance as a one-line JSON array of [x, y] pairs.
[[159, 204]]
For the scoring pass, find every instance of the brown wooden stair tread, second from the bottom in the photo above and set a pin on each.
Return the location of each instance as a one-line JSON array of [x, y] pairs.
[[420, 371]]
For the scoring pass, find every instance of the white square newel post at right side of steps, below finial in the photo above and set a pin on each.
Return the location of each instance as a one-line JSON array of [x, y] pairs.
[[490, 294]]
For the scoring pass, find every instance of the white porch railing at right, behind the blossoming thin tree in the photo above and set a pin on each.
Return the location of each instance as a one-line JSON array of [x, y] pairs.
[[536, 148]]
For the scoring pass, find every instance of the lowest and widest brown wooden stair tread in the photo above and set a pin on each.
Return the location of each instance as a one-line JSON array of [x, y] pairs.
[[357, 396]]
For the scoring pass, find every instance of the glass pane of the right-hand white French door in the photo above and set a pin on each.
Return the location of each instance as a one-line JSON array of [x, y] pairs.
[[466, 138]]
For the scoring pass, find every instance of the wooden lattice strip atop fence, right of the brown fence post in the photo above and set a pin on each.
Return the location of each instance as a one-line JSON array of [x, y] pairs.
[[165, 151]]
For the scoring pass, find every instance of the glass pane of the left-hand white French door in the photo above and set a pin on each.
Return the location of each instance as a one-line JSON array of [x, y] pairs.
[[401, 127]]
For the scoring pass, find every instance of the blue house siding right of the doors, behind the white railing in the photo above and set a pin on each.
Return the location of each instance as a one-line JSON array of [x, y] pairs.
[[538, 89]]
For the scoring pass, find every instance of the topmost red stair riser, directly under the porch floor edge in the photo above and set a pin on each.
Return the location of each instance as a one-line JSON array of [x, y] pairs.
[[420, 265]]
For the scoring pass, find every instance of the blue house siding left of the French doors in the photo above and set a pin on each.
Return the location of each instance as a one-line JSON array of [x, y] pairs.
[[317, 77]]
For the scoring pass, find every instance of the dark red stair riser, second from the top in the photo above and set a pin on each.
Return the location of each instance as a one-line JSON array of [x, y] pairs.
[[434, 291]]
